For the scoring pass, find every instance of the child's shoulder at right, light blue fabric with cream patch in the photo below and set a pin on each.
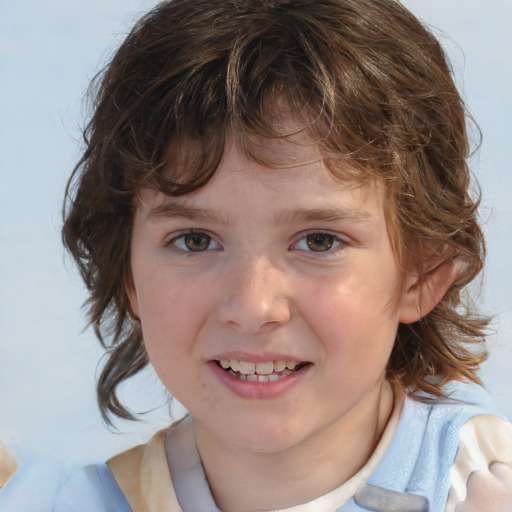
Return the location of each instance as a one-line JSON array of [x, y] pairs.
[[468, 449]]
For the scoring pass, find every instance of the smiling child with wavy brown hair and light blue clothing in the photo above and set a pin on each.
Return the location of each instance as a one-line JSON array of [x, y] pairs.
[[273, 208]]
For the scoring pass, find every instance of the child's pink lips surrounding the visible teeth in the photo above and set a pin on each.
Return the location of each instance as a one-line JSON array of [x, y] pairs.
[[257, 390]]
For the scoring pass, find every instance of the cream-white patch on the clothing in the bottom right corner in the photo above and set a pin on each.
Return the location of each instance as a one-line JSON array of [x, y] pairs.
[[481, 476]]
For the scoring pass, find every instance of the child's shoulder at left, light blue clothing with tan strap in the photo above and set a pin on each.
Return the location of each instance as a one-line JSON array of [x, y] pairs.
[[137, 479]]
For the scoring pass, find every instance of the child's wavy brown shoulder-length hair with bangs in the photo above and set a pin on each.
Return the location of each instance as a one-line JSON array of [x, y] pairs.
[[366, 80]]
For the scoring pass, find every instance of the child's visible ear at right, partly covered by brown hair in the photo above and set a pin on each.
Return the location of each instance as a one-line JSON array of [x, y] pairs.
[[420, 296]]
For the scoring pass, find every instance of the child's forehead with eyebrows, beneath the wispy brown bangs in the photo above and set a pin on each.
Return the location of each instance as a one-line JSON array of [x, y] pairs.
[[298, 186]]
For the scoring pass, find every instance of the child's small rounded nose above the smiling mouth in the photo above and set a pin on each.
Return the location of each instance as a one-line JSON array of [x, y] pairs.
[[255, 296]]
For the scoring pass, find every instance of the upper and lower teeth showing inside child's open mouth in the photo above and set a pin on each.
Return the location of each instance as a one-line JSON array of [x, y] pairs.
[[266, 371]]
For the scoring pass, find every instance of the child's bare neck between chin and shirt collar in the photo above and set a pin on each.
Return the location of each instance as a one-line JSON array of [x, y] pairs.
[[244, 481]]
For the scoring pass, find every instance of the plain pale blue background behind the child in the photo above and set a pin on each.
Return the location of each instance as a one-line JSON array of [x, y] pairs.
[[49, 50]]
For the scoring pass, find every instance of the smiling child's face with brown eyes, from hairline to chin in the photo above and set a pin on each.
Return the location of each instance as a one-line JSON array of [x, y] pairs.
[[262, 266]]
